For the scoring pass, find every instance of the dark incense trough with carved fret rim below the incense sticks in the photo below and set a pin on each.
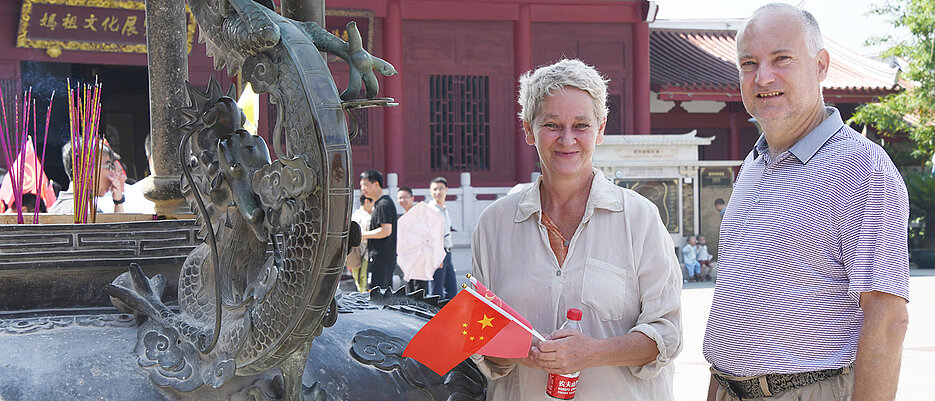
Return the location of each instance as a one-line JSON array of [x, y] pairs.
[[67, 266]]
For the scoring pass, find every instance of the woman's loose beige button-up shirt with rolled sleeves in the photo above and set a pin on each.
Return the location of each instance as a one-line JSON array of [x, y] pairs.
[[621, 271]]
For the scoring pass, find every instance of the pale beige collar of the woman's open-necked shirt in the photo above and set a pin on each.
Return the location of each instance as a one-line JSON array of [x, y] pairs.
[[602, 196]]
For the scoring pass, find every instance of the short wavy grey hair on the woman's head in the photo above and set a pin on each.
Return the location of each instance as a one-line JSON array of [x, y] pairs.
[[534, 86]]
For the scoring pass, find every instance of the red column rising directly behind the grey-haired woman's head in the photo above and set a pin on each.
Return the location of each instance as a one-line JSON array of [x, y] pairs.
[[525, 155]]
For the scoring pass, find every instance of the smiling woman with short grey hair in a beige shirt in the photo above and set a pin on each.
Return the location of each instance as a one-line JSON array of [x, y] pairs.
[[573, 239]]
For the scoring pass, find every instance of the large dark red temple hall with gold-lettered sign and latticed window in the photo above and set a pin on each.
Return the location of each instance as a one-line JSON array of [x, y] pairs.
[[458, 62]]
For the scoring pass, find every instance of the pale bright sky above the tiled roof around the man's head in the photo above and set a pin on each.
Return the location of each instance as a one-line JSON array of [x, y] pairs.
[[844, 21]]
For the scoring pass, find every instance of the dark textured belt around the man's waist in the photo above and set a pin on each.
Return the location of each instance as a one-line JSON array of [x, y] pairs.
[[772, 384]]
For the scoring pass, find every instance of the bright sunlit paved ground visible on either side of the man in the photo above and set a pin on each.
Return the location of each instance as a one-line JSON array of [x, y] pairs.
[[691, 369]]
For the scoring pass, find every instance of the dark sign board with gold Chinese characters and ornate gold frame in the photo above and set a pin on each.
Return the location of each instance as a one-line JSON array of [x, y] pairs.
[[87, 25]]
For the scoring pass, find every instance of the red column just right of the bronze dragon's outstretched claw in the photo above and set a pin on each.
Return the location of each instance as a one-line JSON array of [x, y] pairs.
[[393, 128]]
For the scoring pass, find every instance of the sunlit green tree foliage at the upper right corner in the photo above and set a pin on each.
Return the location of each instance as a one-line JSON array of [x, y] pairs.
[[911, 111]]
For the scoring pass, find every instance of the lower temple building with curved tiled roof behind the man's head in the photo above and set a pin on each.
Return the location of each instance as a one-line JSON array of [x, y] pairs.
[[695, 85]]
